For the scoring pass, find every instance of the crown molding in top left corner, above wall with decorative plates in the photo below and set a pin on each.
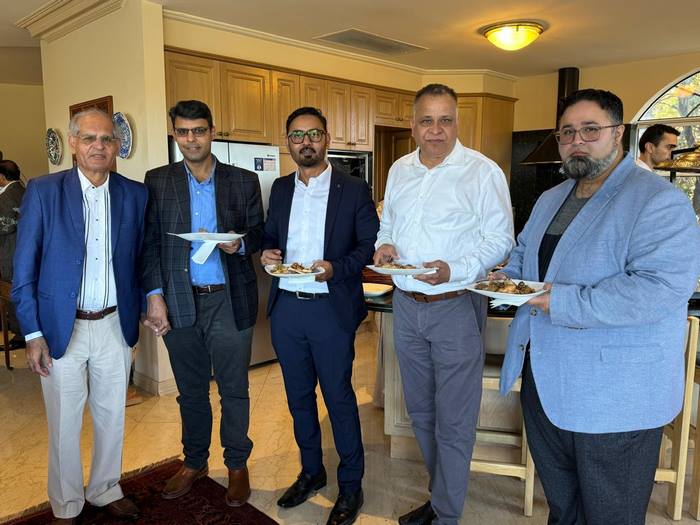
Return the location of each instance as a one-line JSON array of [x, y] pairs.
[[57, 18]]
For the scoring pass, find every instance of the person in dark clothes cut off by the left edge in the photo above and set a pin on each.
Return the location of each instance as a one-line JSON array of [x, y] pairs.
[[11, 193]]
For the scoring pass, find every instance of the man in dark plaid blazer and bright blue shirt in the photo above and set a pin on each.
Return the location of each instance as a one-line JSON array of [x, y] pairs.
[[205, 312]]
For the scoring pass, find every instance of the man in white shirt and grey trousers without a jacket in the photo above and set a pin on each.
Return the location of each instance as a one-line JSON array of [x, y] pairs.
[[445, 207]]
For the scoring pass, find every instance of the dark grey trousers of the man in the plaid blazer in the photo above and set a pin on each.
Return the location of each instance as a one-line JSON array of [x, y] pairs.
[[213, 341]]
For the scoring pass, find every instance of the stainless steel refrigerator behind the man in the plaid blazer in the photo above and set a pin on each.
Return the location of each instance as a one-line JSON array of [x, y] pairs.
[[265, 162]]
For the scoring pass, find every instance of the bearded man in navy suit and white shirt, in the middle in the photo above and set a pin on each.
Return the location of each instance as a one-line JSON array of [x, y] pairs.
[[326, 218]]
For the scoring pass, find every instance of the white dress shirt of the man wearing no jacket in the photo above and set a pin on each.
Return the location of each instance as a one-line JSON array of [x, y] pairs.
[[458, 212]]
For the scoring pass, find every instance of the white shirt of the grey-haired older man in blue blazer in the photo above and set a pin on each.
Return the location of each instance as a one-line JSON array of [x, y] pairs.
[[98, 289]]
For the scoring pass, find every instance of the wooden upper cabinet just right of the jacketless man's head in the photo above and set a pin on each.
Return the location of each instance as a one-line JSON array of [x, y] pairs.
[[486, 125]]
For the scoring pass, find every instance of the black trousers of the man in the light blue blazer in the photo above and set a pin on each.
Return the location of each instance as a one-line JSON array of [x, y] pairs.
[[592, 479]]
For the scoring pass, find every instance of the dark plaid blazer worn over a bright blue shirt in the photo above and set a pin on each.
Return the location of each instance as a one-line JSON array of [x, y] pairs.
[[166, 258]]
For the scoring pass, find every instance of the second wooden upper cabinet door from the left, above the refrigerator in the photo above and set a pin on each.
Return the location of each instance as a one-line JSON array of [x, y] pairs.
[[246, 103]]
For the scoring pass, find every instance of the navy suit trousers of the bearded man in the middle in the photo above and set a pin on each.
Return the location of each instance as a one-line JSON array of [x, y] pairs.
[[313, 348]]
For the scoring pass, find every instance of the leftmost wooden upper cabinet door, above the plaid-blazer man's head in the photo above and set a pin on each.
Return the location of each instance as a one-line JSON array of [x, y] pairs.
[[193, 78]]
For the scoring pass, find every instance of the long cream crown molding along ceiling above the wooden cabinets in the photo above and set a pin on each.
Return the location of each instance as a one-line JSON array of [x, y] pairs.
[[244, 31]]
